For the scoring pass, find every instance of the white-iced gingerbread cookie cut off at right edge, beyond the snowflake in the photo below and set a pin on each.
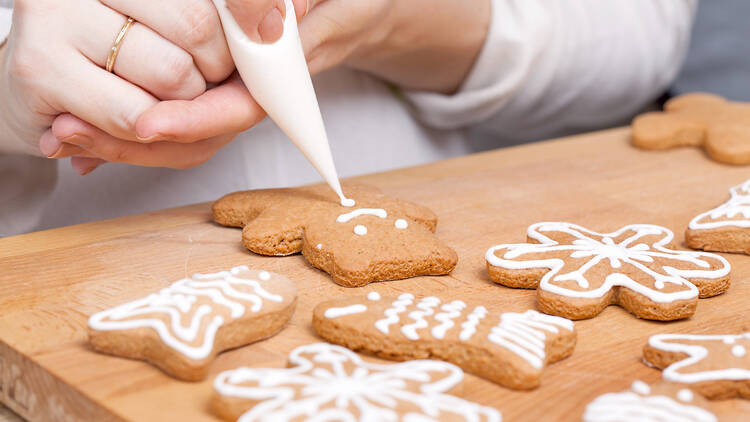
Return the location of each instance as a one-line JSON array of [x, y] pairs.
[[725, 228]]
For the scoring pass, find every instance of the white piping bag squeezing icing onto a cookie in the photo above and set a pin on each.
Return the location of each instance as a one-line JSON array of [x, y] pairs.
[[277, 76]]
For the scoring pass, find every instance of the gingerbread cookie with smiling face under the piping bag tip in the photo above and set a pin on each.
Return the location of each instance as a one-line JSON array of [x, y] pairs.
[[379, 238]]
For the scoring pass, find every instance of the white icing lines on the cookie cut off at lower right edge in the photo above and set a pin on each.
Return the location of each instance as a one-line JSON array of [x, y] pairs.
[[681, 372]]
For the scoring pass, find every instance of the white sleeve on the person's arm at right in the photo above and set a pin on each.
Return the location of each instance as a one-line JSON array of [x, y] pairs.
[[550, 66]]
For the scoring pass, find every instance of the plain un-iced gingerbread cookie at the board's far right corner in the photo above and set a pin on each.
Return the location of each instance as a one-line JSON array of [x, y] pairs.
[[721, 127]]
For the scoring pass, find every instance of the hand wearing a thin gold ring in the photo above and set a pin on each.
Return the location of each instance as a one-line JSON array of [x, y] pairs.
[[53, 65]]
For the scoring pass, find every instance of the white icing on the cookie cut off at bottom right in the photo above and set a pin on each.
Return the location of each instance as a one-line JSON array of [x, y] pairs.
[[632, 407]]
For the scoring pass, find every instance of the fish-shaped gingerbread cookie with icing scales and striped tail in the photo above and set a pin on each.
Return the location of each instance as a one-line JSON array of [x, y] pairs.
[[509, 348]]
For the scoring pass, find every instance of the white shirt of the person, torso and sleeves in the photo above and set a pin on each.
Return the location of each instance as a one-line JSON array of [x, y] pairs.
[[548, 67]]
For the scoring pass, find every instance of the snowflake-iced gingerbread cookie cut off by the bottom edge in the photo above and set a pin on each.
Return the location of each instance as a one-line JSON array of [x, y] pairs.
[[325, 383]]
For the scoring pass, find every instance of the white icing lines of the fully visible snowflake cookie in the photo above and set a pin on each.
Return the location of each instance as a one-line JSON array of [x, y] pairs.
[[628, 251]]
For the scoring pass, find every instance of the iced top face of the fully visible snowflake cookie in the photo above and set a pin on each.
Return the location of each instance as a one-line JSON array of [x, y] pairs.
[[587, 264]]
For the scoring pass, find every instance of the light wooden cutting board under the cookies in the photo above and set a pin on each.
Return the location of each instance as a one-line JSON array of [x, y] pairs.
[[51, 281]]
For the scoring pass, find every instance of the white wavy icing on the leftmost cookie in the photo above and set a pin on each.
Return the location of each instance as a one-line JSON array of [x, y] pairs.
[[177, 303]]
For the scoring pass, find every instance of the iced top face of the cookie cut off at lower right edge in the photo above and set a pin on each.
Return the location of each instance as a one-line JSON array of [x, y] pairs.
[[709, 357]]
